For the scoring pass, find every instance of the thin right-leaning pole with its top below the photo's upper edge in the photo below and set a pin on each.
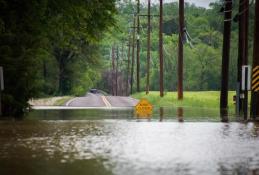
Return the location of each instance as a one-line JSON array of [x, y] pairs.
[[132, 55]]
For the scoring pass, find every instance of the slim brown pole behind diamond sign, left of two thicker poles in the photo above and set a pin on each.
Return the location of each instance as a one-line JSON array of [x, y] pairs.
[[148, 46]]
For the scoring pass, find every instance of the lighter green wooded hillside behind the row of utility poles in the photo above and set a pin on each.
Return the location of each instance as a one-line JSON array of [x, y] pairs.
[[202, 49]]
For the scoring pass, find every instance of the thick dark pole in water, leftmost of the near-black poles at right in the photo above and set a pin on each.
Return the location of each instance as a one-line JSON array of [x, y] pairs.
[[225, 59]]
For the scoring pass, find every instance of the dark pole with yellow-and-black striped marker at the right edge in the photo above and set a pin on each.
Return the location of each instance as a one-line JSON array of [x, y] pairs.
[[255, 76]]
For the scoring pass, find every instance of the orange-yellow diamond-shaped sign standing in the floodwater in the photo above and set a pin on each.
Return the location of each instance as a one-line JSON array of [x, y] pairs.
[[144, 108]]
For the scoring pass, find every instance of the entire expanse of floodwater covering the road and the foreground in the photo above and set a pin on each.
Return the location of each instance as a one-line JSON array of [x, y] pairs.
[[89, 142]]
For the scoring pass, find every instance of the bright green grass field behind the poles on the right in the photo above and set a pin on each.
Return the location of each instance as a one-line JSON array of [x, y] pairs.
[[204, 99]]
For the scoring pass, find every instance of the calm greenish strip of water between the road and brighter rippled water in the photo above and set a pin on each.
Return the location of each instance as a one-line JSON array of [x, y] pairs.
[[161, 114]]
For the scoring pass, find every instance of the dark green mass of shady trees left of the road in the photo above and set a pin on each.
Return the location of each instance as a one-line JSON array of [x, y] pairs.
[[49, 47]]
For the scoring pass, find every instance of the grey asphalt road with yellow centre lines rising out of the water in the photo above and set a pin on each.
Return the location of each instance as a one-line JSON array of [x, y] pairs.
[[99, 100]]
